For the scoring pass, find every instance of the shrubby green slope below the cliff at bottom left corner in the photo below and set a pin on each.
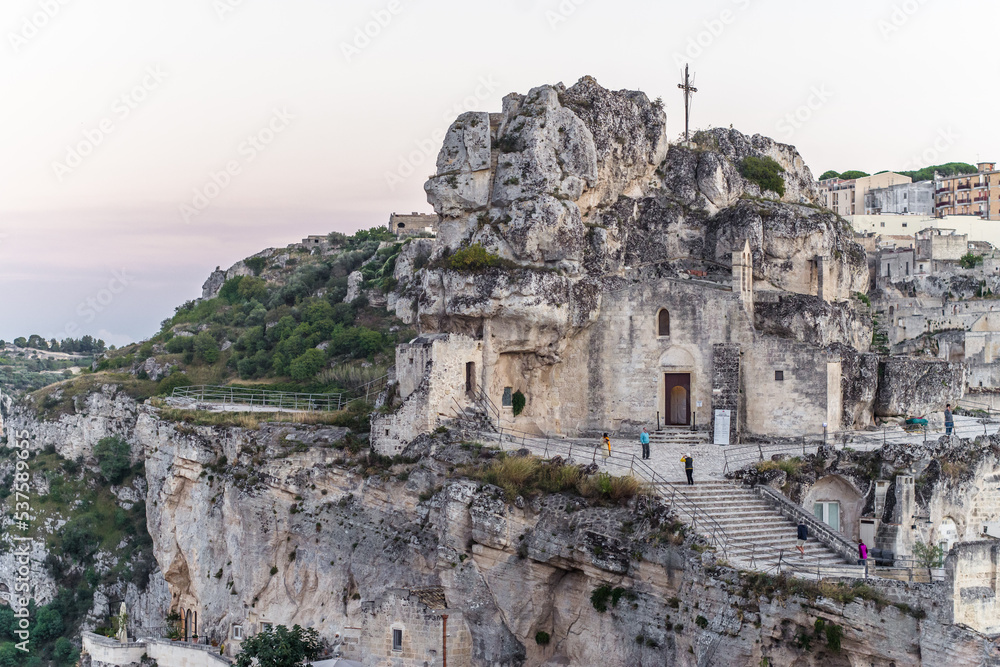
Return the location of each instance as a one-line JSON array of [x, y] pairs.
[[97, 550]]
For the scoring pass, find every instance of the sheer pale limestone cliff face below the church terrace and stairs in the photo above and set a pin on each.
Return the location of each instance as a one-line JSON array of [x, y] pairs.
[[294, 524]]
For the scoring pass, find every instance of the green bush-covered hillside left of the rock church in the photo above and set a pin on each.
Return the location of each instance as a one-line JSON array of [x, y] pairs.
[[281, 321]]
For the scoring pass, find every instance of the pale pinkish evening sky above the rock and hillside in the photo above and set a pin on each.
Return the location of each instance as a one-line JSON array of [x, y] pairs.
[[144, 143]]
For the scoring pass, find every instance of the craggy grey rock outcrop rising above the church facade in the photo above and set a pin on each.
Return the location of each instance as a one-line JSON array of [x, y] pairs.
[[578, 186]]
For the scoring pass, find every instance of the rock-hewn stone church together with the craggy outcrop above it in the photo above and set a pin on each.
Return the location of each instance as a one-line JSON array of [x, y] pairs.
[[634, 282]]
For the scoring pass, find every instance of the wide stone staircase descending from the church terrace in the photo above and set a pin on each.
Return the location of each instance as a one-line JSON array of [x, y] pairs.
[[757, 531]]
